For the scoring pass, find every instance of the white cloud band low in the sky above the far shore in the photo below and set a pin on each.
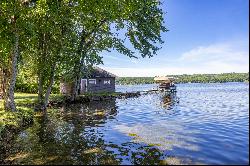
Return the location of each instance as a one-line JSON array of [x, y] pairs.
[[215, 58]]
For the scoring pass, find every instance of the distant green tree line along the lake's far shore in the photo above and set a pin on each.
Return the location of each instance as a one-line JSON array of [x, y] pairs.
[[185, 78]]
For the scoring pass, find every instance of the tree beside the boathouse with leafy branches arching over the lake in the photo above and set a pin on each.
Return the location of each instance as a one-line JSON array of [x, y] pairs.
[[99, 21]]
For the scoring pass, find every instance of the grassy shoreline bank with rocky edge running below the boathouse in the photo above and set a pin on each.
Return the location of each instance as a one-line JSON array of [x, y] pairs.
[[26, 103]]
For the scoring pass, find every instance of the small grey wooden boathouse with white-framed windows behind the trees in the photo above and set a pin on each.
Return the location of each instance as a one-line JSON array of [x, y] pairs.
[[98, 80]]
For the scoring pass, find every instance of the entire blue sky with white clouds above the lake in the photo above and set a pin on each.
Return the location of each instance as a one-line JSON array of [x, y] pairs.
[[204, 37]]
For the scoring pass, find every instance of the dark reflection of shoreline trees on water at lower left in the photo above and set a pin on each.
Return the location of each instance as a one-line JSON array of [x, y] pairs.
[[71, 135]]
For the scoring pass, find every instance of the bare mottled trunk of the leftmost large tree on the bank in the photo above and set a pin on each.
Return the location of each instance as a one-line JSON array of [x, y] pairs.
[[9, 103]]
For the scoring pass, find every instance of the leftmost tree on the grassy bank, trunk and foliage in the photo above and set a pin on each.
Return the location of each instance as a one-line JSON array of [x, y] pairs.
[[13, 17]]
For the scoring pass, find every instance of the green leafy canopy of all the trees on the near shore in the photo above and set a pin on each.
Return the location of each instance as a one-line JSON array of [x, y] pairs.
[[65, 36]]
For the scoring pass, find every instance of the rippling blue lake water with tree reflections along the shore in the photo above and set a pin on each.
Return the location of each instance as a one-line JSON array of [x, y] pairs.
[[201, 124]]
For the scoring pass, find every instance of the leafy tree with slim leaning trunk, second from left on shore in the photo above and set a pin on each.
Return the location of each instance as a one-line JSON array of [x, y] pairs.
[[53, 25]]
